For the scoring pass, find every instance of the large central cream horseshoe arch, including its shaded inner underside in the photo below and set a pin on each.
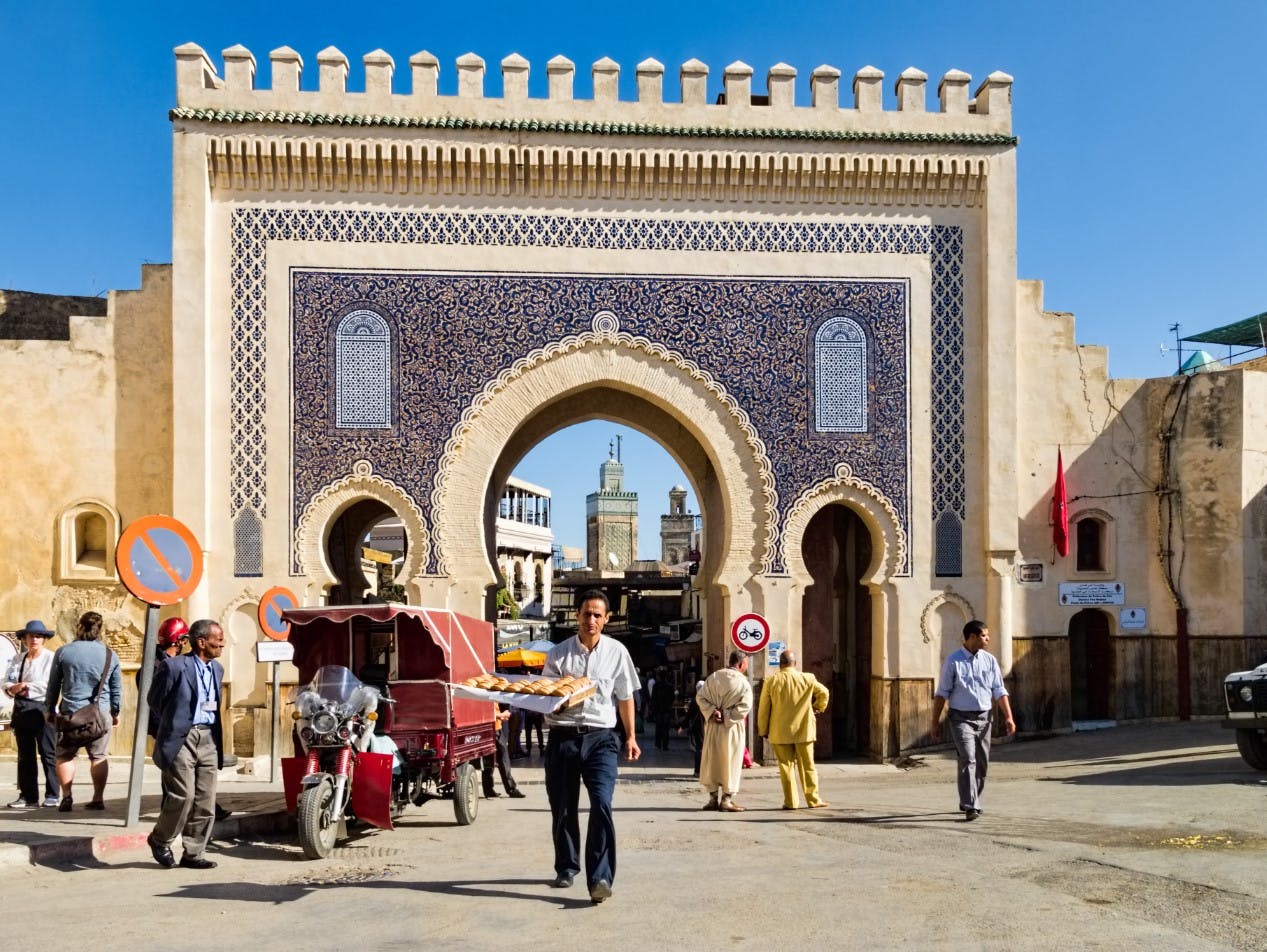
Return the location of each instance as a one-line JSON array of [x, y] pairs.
[[611, 376]]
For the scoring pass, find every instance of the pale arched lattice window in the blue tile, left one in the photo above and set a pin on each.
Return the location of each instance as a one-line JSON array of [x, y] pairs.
[[363, 372]]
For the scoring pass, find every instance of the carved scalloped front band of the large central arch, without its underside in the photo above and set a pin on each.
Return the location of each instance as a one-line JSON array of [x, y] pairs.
[[606, 334]]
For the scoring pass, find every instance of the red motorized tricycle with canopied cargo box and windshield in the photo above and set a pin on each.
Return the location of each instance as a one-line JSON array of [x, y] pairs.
[[377, 722]]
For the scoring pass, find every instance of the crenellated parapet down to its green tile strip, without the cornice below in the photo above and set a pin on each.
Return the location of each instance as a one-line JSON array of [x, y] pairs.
[[662, 105]]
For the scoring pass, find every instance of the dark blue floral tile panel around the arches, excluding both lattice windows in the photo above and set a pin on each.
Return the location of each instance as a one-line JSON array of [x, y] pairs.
[[457, 333]]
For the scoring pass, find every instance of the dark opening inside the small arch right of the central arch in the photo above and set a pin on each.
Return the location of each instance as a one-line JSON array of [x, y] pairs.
[[837, 626]]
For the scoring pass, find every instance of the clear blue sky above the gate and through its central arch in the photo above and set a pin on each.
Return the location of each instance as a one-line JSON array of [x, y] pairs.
[[1142, 131]]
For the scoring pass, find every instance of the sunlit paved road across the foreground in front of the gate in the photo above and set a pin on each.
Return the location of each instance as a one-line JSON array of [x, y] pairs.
[[1137, 837]]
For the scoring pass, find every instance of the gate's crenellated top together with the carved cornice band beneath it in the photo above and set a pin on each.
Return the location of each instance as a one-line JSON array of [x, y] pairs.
[[668, 144]]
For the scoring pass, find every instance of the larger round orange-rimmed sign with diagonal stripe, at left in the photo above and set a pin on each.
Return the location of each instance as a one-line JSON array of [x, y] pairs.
[[159, 561]]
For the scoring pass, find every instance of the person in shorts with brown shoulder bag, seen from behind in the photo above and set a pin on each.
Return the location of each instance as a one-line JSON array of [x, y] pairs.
[[78, 669]]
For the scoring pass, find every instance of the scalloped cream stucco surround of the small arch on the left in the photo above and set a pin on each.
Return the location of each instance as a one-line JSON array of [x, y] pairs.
[[325, 508]]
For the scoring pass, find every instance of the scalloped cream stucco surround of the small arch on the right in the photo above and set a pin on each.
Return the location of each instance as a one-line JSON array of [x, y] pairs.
[[874, 508]]
